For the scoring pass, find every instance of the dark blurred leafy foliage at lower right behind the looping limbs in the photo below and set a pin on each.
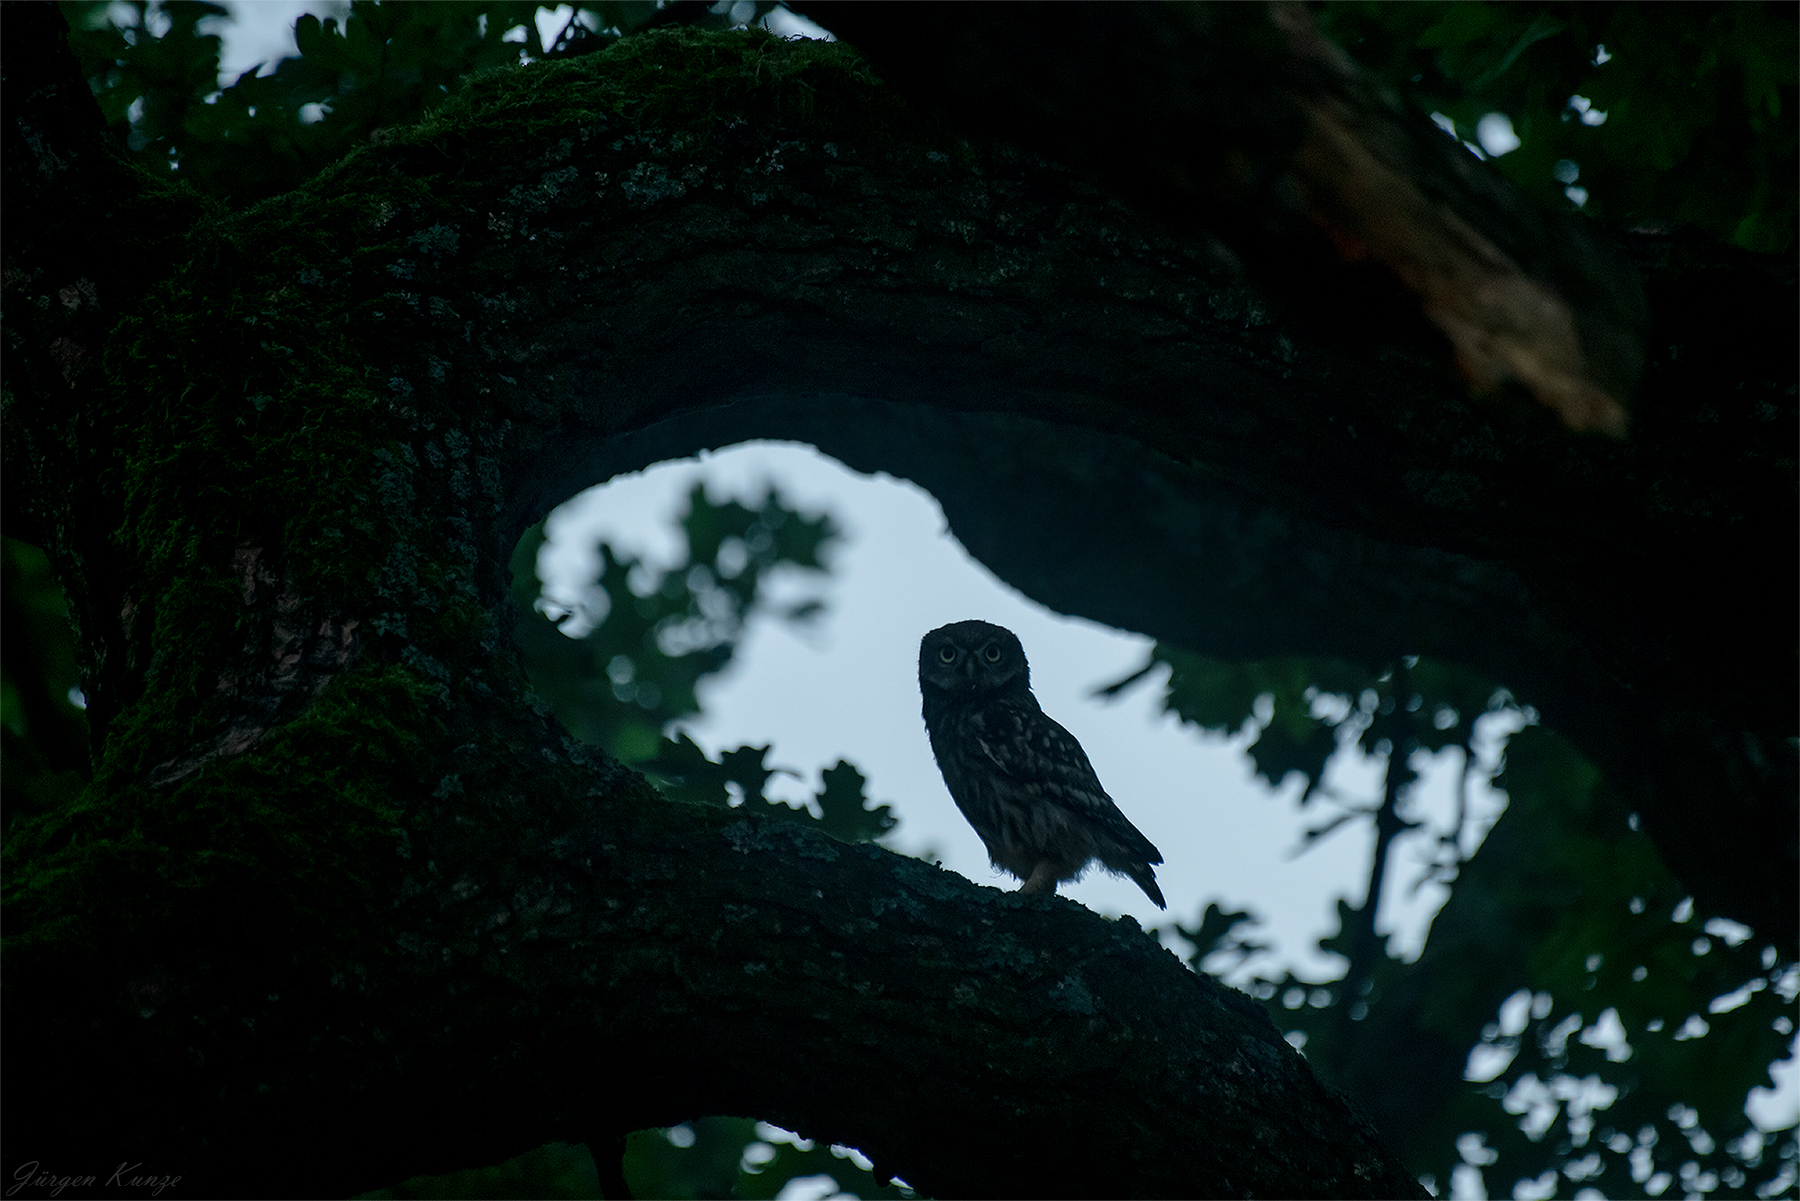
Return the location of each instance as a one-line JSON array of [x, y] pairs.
[[1567, 980]]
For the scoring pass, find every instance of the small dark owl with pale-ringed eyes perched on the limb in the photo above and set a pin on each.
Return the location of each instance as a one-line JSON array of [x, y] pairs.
[[1021, 781]]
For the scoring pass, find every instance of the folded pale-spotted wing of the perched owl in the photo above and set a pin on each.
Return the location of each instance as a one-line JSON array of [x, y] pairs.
[[1045, 761]]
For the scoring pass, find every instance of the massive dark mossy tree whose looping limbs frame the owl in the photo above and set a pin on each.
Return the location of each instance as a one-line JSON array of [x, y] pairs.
[[343, 905]]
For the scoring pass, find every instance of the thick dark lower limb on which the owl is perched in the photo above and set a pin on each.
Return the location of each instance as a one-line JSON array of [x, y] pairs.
[[658, 962]]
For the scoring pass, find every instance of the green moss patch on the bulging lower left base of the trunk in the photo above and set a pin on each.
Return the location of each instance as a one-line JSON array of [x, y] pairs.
[[294, 845]]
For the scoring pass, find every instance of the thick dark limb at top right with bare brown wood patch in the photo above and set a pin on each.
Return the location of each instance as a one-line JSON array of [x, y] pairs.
[[1245, 122]]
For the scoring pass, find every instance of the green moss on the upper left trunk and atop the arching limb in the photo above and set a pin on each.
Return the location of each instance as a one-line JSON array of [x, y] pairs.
[[289, 388]]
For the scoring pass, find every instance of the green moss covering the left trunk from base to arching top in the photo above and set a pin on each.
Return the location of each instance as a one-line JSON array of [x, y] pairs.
[[301, 395]]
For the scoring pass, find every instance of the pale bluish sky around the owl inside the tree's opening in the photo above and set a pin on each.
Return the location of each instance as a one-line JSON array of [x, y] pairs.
[[849, 689]]
